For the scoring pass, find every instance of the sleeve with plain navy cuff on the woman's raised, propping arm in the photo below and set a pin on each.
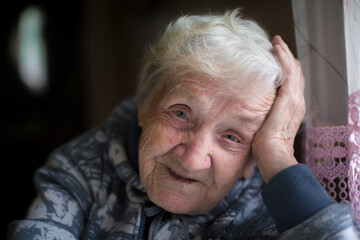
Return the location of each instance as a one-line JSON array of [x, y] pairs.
[[302, 209]]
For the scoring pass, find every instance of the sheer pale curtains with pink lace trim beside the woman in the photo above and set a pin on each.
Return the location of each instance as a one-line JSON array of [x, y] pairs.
[[328, 46]]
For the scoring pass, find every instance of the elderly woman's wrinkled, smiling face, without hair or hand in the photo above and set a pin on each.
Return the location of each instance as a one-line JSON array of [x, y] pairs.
[[195, 144]]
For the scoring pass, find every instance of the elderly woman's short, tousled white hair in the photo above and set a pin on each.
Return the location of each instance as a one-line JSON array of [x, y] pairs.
[[225, 49]]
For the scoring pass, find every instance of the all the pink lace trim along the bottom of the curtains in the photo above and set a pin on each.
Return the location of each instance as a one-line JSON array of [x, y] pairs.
[[333, 155]]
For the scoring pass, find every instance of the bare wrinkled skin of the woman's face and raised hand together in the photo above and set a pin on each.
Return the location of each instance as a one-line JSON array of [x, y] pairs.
[[198, 141]]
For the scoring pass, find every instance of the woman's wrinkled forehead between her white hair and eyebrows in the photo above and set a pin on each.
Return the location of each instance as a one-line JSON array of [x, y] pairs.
[[212, 97]]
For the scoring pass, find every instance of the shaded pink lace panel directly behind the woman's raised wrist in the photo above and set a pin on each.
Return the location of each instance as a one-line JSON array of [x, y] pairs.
[[327, 157]]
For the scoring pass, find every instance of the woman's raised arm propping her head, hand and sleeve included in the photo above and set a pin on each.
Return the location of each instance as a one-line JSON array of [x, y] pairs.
[[299, 205]]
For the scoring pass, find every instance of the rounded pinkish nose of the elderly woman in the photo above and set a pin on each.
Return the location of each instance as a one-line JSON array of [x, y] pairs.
[[194, 153]]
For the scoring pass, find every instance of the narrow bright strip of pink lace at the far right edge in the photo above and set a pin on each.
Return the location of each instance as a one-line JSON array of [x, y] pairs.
[[354, 151]]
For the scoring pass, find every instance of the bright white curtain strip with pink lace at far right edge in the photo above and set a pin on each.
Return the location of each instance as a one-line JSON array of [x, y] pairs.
[[352, 43]]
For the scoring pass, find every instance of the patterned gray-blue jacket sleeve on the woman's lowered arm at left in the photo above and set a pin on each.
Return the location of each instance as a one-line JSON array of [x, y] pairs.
[[65, 195]]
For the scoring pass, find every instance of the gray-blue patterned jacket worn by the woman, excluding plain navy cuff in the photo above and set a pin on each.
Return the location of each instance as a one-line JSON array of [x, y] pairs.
[[88, 190]]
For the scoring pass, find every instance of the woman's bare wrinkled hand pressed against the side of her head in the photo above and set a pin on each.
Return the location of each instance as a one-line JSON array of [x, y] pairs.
[[272, 146]]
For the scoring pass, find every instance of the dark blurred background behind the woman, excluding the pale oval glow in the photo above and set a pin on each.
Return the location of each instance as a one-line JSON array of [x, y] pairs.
[[93, 52]]
